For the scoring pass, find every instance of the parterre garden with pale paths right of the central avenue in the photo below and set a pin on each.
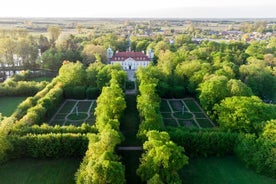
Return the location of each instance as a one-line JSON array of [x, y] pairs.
[[184, 112]]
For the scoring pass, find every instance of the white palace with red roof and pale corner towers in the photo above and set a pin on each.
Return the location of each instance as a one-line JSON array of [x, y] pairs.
[[130, 60]]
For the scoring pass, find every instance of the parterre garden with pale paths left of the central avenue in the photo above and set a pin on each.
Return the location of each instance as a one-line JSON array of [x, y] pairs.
[[75, 112]]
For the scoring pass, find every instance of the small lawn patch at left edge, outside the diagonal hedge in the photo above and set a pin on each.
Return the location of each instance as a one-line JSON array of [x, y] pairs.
[[9, 104]]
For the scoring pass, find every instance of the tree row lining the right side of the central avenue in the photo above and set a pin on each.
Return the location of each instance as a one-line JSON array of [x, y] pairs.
[[162, 158]]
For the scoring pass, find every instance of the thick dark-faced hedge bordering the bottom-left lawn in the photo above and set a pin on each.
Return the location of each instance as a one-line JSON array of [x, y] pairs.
[[48, 145]]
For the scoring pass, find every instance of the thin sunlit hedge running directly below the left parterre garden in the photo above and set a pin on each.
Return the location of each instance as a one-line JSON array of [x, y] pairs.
[[46, 129]]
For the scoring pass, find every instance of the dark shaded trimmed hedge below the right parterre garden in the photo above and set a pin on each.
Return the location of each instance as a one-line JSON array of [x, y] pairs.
[[204, 143]]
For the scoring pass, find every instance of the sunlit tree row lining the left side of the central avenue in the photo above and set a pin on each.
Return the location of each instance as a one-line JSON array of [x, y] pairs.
[[101, 164]]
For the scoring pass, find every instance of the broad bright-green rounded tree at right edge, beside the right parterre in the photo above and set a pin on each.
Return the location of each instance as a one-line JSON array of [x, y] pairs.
[[243, 114]]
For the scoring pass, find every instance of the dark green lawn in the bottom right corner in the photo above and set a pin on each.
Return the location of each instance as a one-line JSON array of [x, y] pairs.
[[226, 170]]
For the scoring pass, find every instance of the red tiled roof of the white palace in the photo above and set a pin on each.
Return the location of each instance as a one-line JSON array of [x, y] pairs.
[[137, 56]]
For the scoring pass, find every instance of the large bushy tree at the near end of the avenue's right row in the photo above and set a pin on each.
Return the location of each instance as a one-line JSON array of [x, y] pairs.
[[162, 159]]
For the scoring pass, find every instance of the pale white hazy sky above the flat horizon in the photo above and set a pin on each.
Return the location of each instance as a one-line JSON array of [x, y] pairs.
[[140, 8]]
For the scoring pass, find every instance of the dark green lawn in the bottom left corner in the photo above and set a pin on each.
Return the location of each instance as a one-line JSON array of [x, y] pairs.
[[32, 171]]
